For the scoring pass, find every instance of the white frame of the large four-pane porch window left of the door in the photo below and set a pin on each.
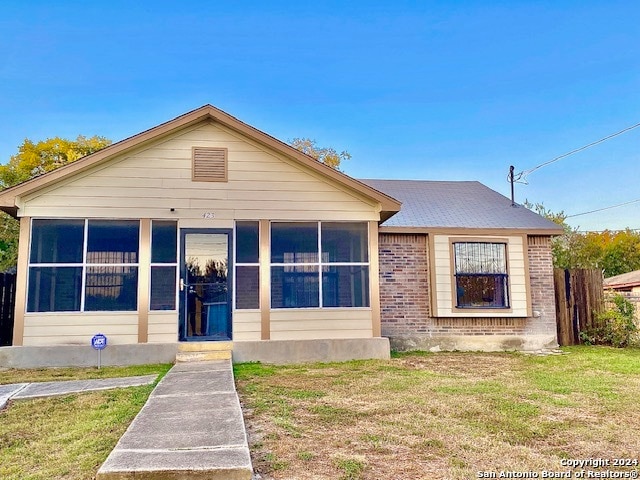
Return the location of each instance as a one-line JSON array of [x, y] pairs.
[[84, 265]]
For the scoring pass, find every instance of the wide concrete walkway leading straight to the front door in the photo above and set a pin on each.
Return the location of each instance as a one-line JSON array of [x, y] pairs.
[[190, 428]]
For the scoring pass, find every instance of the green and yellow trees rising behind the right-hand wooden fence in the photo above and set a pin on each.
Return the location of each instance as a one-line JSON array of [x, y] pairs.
[[613, 252]]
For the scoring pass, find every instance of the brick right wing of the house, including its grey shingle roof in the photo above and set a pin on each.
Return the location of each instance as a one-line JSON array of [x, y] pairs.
[[463, 269]]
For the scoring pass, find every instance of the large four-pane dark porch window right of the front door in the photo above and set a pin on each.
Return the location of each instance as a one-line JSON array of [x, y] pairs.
[[319, 264]]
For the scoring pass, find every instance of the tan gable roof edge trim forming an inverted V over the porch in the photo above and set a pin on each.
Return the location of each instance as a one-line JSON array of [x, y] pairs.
[[9, 196]]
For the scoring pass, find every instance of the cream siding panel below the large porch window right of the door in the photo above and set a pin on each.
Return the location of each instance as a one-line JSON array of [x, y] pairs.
[[306, 324]]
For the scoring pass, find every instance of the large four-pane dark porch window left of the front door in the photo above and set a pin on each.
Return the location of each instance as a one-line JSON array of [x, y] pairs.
[[83, 265]]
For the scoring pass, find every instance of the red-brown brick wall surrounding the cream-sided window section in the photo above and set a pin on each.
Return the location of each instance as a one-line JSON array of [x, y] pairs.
[[404, 293]]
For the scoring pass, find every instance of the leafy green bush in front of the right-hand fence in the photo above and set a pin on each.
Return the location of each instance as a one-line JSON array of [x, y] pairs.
[[616, 326]]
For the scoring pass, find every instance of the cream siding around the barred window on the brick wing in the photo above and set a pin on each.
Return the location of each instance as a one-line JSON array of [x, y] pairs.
[[516, 270]]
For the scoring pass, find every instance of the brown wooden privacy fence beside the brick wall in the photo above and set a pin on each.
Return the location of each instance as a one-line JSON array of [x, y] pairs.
[[579, 297]]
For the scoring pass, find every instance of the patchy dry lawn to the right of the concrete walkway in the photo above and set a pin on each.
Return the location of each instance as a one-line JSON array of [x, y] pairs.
[[441, 416]]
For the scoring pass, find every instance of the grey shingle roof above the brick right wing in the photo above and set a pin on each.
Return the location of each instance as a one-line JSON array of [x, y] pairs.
[[464, 205]]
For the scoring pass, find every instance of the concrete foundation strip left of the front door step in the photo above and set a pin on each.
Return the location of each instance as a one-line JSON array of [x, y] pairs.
[[86, 356]]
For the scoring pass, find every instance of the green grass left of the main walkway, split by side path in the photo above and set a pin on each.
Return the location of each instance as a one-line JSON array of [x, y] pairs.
[[70, 436]]
